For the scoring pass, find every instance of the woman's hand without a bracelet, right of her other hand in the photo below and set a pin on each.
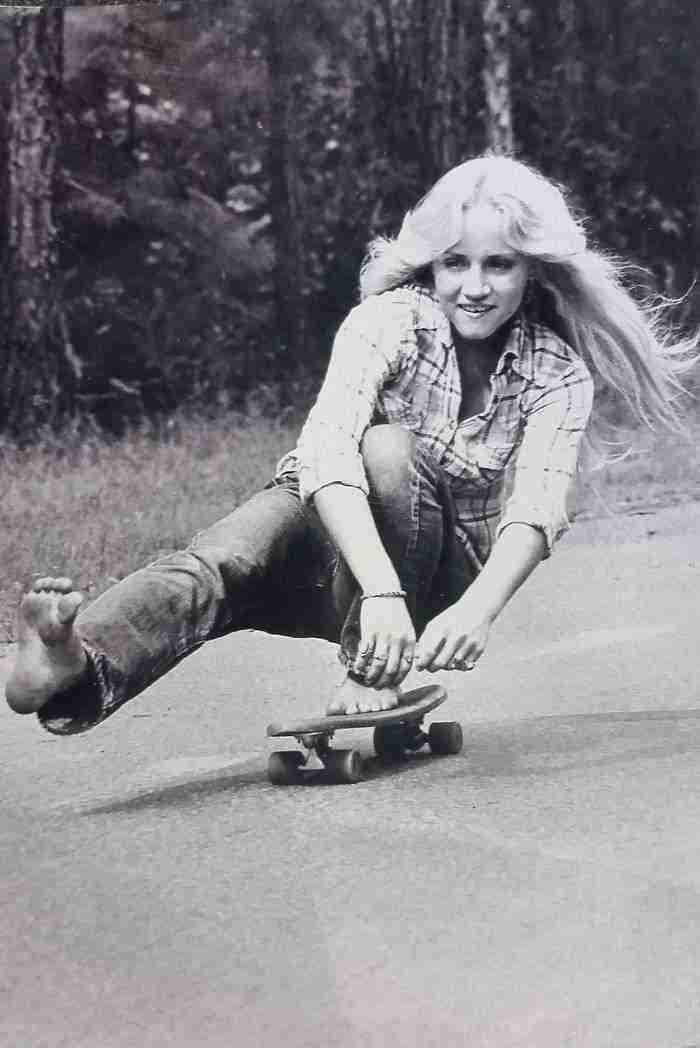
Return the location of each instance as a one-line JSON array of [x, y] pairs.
[[455, 640]]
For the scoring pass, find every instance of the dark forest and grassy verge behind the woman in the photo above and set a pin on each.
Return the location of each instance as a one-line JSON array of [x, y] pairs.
[[188, 193]]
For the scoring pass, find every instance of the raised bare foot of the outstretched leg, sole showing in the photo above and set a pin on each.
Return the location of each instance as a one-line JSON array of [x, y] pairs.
[[50, 654]]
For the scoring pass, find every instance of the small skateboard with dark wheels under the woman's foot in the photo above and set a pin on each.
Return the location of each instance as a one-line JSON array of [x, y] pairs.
[[397, 732]]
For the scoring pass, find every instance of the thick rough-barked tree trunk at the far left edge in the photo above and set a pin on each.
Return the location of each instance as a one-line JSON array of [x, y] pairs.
[[32, 367]]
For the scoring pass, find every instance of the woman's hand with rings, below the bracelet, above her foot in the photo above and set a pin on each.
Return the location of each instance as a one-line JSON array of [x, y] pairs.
[[387, 643]]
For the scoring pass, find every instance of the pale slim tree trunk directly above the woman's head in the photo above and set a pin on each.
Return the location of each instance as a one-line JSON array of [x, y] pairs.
[[497, 77]]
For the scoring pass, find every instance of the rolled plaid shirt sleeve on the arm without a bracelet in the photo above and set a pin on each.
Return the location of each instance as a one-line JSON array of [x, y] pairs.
[[548, 460]]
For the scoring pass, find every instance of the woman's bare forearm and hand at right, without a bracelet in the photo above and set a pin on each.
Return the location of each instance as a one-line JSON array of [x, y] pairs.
[[462, 632]]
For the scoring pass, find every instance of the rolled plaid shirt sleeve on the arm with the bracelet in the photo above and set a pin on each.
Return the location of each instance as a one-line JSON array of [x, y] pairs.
[[370, 348]]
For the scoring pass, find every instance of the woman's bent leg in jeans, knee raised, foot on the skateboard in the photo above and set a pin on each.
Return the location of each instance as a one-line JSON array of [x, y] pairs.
[[415, 517]]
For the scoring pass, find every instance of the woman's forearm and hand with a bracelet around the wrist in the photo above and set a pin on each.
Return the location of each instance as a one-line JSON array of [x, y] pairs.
[[386, 625]]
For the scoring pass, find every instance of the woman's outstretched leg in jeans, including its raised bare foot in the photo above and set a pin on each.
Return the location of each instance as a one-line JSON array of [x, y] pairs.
[[146, 624]]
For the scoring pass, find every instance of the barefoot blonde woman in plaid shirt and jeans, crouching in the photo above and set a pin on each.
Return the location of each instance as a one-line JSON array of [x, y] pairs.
[[482, 331]]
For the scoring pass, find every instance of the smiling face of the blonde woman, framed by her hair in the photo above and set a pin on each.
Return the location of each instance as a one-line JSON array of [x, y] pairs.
[[482, 281]]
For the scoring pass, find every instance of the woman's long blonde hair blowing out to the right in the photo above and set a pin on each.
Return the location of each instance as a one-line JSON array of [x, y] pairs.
[[628, 342]]
